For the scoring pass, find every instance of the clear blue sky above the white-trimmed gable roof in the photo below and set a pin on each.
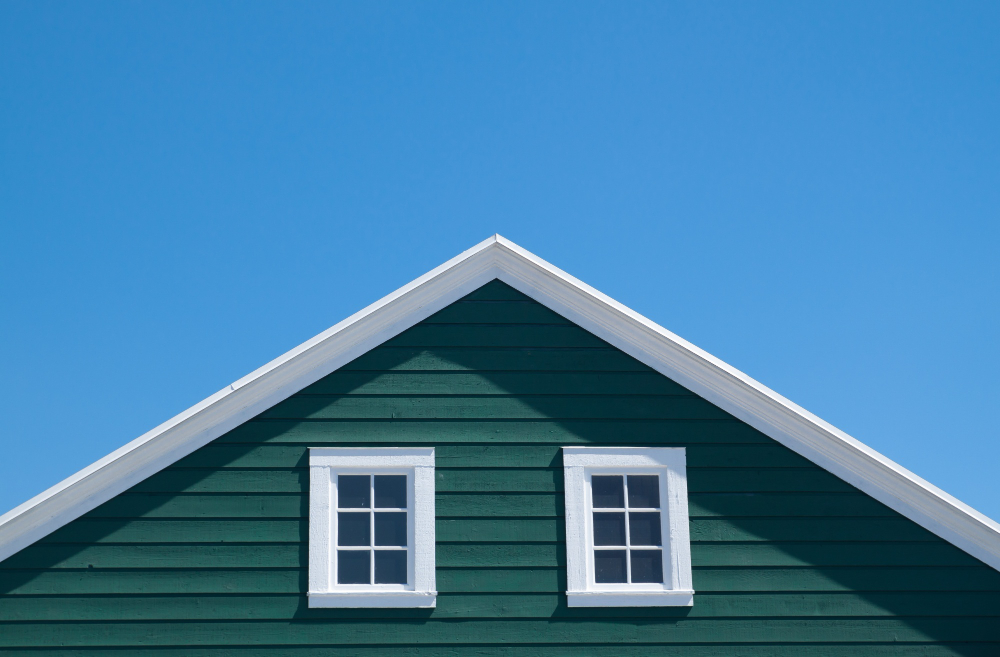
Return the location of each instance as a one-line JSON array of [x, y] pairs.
[[809, 191]]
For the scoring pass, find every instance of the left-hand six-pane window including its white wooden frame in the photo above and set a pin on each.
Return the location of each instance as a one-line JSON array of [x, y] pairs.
[[371, 527]]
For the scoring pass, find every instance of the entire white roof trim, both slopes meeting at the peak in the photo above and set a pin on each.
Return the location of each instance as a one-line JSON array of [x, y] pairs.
[[496, 257]]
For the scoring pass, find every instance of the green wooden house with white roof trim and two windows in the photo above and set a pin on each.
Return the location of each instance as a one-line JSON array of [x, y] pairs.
[[497, 459]]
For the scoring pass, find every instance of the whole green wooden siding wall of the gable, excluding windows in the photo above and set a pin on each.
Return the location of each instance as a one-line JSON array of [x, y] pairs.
[[208, 557]]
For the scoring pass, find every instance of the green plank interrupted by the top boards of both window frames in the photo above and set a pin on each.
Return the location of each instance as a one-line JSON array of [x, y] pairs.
[[223, 455]]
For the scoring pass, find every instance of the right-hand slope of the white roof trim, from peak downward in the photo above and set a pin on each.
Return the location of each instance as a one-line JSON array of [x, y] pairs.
[[754, 403]]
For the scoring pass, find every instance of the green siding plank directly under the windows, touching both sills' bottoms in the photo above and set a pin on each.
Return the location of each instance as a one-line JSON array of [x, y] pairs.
[[482, 606]]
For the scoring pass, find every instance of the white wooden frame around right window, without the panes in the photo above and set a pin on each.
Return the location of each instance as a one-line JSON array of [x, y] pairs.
[[579, 464]]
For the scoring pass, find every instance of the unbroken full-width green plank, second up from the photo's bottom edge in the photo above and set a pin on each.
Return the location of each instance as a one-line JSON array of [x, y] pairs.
[[512, 631]]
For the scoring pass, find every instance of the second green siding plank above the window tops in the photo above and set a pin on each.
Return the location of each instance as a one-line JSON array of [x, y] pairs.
[[523, 407]]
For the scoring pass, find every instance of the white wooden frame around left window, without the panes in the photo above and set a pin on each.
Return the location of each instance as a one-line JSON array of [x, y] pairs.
[[325, 464]]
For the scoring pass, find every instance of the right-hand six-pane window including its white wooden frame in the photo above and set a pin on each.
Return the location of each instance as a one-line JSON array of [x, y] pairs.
[[627, 537]]
